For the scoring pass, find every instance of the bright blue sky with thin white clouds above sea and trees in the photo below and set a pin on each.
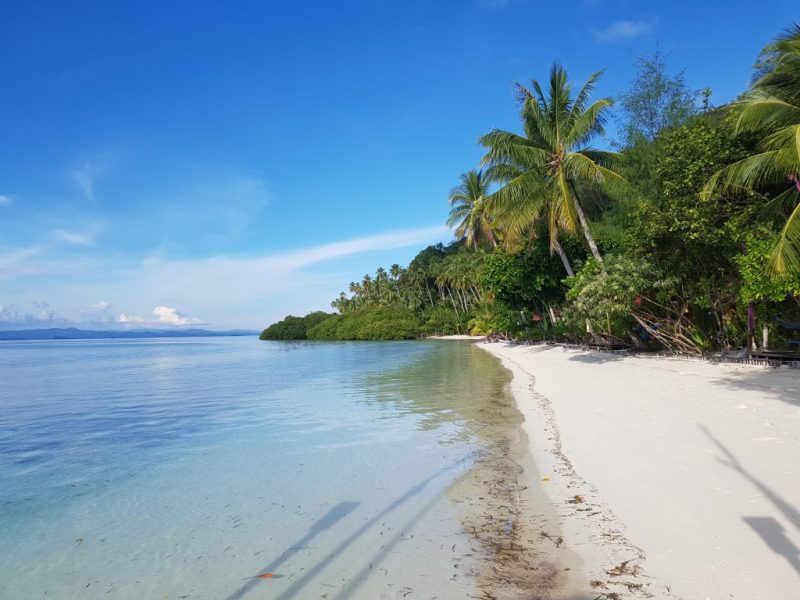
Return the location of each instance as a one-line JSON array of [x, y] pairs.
[[178, 163]]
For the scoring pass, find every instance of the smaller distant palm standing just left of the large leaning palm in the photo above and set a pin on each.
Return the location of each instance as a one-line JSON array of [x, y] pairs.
[[468, 212]]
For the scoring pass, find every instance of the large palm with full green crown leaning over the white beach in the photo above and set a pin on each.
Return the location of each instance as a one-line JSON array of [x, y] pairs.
[[543, 168]]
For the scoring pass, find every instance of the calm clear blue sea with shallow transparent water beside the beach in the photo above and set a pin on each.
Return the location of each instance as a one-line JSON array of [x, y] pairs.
[[185, 468]]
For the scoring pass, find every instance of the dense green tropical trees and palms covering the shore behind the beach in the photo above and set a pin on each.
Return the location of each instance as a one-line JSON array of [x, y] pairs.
[[687, 238]]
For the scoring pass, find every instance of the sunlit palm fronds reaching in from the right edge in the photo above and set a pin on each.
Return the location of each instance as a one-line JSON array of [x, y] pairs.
[[772, 106]]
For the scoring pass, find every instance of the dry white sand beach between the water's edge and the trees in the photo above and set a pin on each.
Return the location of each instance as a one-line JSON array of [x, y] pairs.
[[687, 473]]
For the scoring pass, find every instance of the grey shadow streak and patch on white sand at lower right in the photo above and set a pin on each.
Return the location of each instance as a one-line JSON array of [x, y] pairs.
[[768, 529]]
